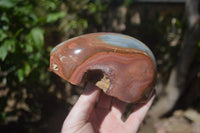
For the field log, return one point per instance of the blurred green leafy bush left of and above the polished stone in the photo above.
(25, 29)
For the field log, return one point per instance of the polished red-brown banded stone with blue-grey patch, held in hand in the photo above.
(120, 65)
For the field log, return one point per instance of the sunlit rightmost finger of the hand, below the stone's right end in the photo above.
(135, 119)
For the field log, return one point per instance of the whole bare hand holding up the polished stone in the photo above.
(104, 116)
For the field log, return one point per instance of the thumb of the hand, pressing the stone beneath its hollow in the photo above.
(81, 111)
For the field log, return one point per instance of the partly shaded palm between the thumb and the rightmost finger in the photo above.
(106, 117)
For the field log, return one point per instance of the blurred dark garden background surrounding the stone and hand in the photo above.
(33, 99)
